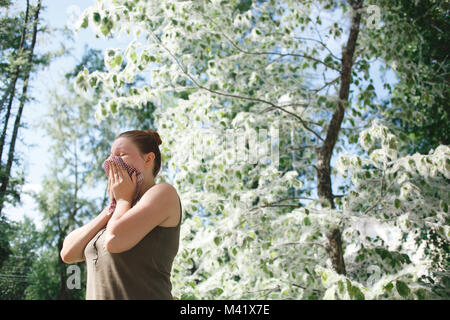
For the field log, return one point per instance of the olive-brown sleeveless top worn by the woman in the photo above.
(143, 272)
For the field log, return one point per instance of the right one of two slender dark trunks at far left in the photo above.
(7, 171)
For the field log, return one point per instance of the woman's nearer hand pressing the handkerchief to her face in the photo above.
(122, 186)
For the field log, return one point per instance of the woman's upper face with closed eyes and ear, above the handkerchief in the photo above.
(129, 153)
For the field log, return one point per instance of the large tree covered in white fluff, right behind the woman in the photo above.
(224, 74)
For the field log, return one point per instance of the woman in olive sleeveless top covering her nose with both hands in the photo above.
(129, 253)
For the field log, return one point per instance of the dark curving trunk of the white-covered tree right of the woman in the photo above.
(324, 153)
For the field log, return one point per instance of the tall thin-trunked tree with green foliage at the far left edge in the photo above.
(19, 62)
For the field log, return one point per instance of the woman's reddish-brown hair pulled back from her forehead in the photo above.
(146, 141)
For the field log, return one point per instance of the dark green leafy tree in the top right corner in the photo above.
(428, 20)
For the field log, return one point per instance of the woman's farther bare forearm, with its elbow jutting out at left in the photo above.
(76, 241)
